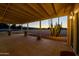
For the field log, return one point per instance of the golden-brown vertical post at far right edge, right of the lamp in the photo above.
(76, 33)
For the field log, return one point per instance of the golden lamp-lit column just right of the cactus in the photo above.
(69, 30)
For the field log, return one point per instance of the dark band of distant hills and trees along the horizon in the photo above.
(13, 26)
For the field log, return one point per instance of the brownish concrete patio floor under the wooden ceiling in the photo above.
(18, 45)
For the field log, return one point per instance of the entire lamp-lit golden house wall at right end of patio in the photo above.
(73, 32)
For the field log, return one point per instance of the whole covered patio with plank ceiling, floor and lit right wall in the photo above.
(26, 43)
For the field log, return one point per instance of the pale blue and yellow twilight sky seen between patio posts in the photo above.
(46, 23)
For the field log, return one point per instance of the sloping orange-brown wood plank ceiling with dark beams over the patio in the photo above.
(29, 12)
